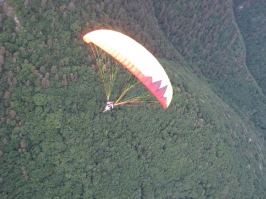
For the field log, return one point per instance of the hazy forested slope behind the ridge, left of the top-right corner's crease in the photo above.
(215, 48)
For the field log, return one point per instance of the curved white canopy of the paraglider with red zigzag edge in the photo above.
(137, 60)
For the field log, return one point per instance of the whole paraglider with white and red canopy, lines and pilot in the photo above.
(112, 51)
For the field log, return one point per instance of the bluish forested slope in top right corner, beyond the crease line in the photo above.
(251, 19)
